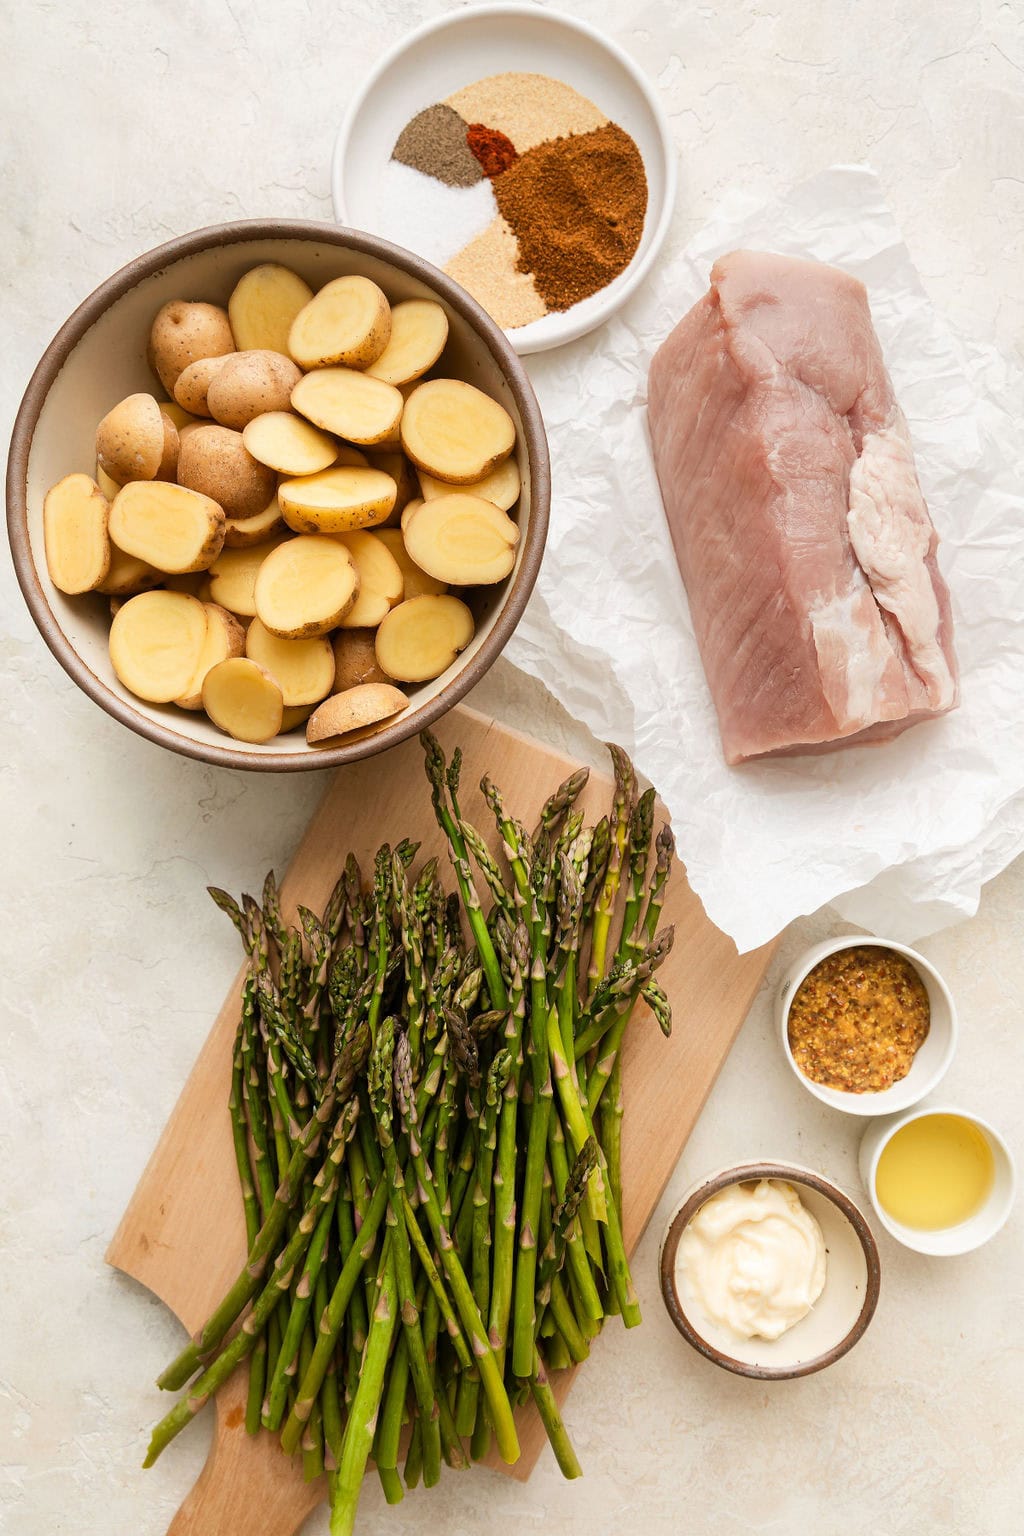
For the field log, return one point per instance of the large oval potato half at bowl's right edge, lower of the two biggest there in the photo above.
(463, 540)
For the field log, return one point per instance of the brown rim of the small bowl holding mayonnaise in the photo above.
(794, 1174)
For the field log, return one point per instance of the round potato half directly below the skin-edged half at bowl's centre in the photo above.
(306, 588)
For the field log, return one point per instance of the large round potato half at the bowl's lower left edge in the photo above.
(156, 644)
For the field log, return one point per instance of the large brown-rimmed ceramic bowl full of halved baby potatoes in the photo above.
(279, 495)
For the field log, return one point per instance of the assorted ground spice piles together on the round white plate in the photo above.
(561, 193)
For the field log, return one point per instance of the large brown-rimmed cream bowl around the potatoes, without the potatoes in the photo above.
(99, 357)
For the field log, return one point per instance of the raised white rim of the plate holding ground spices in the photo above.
(515, 10)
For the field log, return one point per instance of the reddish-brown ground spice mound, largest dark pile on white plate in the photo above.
(576, 208)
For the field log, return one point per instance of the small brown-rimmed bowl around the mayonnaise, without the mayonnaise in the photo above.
(842, 1313)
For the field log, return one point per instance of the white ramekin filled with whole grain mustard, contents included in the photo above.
(867, 1024)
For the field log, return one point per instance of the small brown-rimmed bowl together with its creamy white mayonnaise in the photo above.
(770, 1271)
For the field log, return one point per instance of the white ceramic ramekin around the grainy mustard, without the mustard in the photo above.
(931, 1062)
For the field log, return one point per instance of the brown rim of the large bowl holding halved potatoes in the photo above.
(51, 363)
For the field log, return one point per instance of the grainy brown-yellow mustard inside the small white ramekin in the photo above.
(859, 1019)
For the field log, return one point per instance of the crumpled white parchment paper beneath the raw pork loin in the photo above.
(900, 838)
